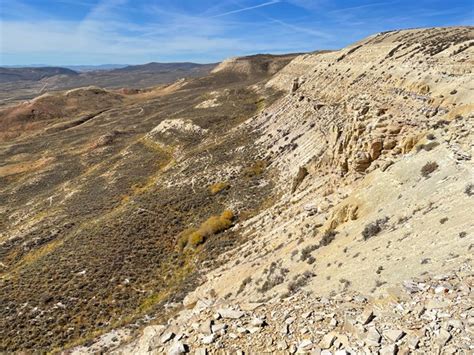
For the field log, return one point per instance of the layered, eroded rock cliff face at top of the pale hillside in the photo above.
(372, 100)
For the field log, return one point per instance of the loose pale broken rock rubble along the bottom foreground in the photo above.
(426, 315)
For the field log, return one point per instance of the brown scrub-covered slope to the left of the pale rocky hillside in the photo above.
(95, 197)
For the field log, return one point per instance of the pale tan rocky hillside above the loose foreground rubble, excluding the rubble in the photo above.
(354, 142)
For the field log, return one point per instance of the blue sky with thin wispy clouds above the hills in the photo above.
(67, 32)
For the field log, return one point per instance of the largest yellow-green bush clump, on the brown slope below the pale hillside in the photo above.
(213, 225)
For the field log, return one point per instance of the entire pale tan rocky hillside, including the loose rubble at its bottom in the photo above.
(371, 150)
